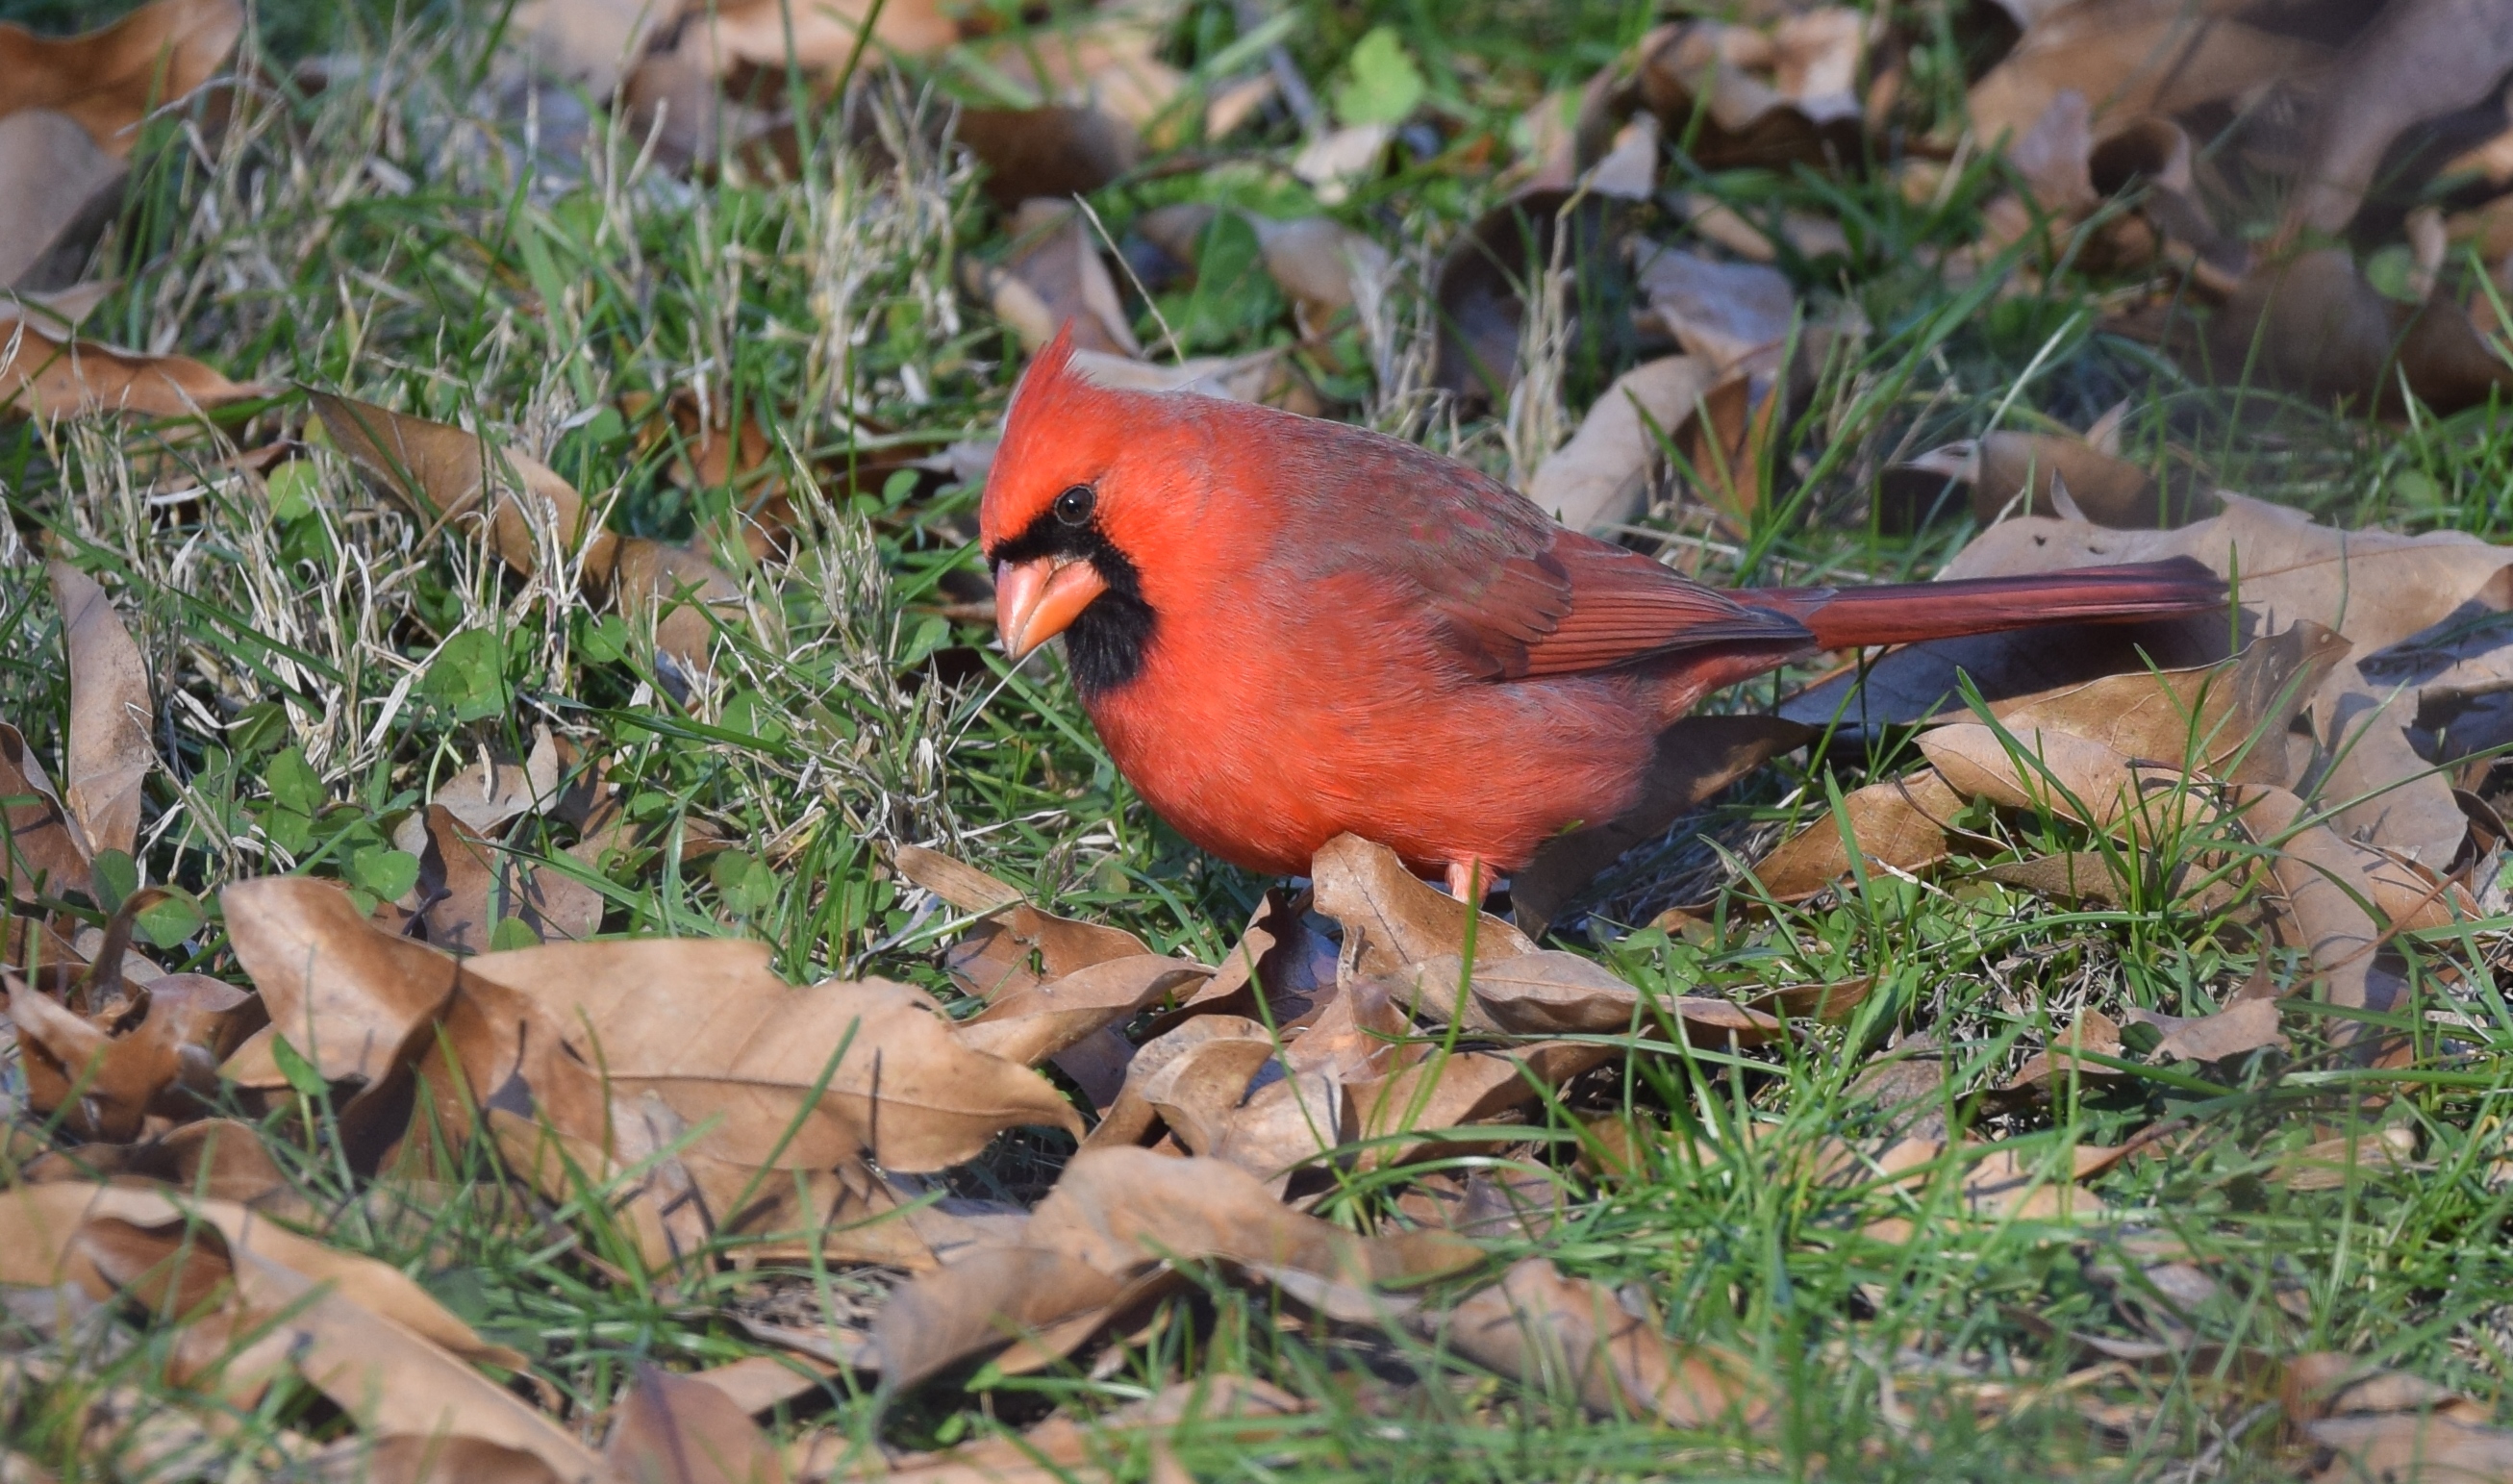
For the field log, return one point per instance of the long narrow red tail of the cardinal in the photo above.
(1916, 611)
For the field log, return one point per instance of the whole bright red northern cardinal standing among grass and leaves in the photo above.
(1290, 629)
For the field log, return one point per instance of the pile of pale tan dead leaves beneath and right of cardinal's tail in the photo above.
(2328, 785)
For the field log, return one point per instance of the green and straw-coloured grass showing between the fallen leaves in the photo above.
(396, 240)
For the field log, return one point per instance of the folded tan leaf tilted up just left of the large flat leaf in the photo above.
(353, 1001)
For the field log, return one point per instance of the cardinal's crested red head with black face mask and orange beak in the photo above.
(1072, 493)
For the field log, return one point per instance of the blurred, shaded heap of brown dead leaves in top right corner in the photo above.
(2110, 104)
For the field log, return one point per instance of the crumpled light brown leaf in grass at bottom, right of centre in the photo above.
(1547, 1330)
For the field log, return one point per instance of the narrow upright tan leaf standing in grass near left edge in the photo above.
(109, 752)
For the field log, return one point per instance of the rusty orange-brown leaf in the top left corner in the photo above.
(112, 79)
